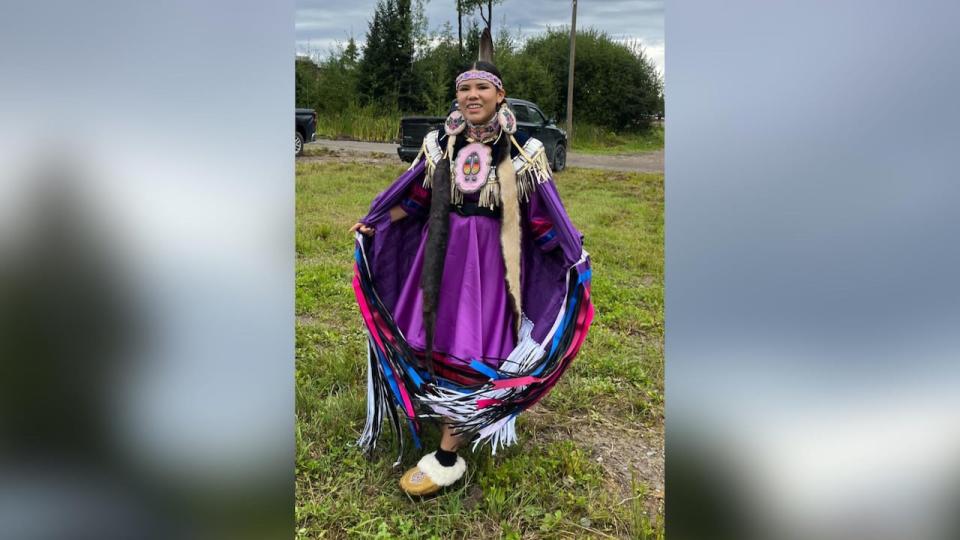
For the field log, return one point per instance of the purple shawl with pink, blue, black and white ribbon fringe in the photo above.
(557, 312)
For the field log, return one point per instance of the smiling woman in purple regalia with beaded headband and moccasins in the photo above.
(472, 282)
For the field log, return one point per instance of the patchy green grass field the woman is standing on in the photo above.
(550, 485)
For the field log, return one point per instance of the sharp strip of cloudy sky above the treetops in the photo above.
(321, 23)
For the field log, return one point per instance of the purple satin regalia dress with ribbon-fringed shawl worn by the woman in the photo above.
(490, 361)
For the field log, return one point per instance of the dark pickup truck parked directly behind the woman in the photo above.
(529, 120)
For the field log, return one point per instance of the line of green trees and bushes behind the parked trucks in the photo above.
(401, 68)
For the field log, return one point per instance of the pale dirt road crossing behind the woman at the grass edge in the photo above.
(387, 152)
